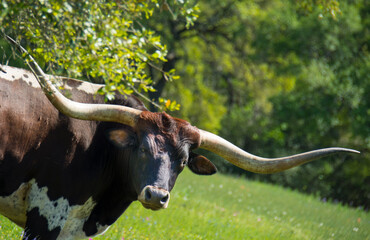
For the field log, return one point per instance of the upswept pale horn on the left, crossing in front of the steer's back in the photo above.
(83, 111)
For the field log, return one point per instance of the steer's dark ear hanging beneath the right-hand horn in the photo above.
(201, 165)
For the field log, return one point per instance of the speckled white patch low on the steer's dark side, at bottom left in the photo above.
(58, 213)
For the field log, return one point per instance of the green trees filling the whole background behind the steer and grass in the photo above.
(274, 77)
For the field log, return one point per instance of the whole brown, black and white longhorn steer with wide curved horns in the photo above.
(66, 178)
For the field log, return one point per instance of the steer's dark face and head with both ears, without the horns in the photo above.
(160, 148)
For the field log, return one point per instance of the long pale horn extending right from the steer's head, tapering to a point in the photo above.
(252, 163)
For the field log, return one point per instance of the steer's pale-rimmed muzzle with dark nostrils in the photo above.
(154, 198)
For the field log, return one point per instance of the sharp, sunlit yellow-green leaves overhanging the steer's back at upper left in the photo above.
(101, 41)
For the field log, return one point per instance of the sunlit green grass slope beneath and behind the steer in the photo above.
(224, 207)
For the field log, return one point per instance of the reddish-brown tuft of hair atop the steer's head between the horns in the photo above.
(177, 131)
